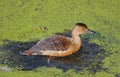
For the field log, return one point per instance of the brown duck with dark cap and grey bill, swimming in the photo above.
(58, 45)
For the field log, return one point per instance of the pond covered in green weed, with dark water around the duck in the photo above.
(24, 22)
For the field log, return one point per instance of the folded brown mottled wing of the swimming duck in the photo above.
(54, 43)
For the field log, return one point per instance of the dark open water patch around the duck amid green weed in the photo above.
(90, 55)
